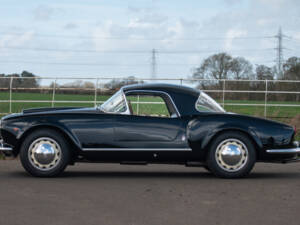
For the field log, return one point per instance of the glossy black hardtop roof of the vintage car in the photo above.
(183, 97)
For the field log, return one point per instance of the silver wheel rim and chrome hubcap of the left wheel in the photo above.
(44, 153)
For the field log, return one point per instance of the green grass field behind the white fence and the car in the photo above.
(283, 114)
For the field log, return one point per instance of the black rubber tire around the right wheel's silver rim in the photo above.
(212, 161)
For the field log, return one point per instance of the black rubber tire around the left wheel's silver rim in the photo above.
(64, 154)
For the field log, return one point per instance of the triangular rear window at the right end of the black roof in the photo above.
(207, 104)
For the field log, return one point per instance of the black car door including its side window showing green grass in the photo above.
(157, 128)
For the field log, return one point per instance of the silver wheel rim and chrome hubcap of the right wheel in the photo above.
(231, 155)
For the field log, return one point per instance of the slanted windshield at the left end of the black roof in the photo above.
(115, 104)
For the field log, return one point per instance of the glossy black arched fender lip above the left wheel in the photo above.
(70, 138)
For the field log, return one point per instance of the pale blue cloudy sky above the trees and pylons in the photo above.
(115, 38)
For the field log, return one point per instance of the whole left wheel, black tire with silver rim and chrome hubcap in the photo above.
(45, 153)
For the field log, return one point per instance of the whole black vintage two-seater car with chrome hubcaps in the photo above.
(188, 128)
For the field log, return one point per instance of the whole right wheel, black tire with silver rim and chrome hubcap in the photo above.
(231, 155)
